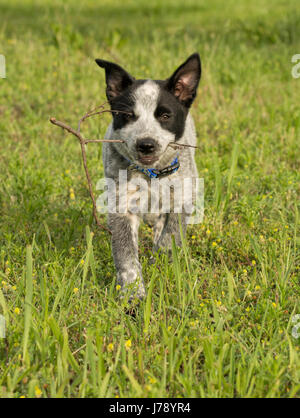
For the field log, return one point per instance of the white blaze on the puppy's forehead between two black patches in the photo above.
(146, 98)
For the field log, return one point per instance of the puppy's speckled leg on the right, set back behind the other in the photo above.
(170, 228)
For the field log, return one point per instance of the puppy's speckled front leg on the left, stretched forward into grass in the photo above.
(124, 228)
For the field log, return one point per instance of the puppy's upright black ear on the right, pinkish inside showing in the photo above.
(184, 81)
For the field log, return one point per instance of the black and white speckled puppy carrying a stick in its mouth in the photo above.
(148, 115)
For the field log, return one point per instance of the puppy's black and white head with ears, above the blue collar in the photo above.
(155, 111)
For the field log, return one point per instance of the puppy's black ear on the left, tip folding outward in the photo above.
(117, 79)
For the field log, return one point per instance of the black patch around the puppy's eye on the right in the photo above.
(170, 113)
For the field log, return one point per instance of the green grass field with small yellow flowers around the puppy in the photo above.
(217, 321)
